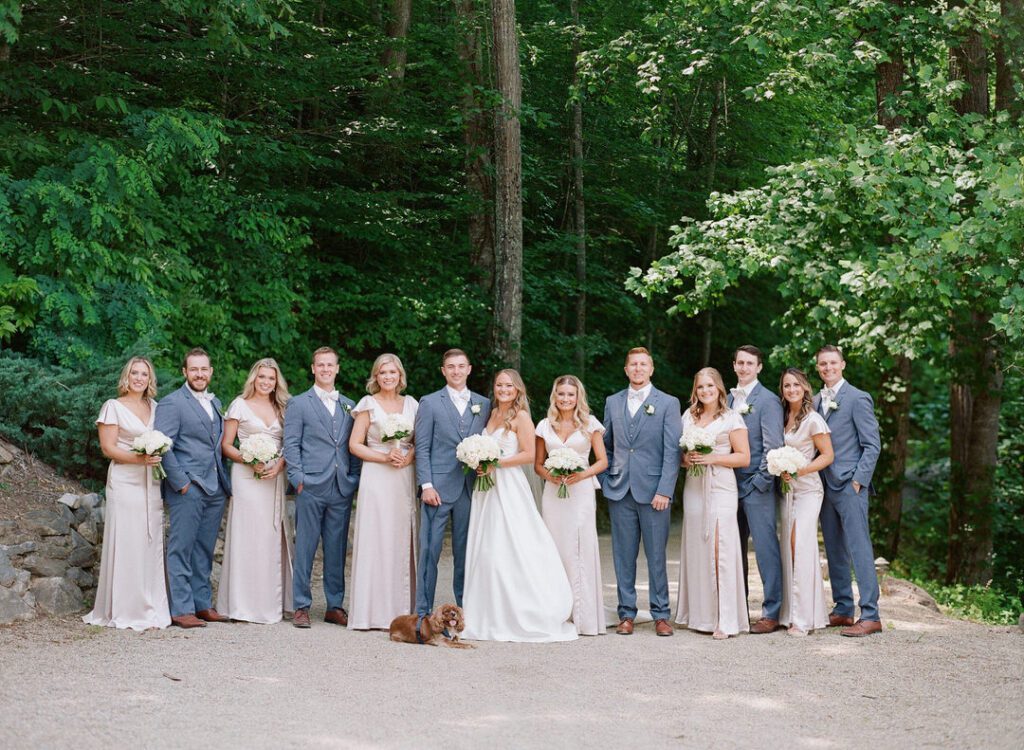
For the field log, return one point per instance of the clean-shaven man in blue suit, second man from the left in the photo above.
(318, 425)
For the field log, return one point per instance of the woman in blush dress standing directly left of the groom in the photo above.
(385, 555)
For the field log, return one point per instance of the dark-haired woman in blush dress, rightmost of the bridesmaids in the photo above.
(803, 589)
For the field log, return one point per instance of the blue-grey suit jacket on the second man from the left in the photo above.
(317, 455)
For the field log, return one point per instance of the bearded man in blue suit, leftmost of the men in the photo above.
(195, 491)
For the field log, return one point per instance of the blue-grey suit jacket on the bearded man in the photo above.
(196, 455)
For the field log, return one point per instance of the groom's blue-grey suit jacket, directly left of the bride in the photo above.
(440, 430)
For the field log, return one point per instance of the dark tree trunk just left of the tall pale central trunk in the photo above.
(477, 144)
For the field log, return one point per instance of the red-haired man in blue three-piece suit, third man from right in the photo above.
(643, 431)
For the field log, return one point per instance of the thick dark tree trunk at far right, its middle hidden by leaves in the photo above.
(976, 388)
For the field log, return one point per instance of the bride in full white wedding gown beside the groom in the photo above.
(517, 589)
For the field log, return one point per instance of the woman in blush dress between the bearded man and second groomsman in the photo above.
(257, 577)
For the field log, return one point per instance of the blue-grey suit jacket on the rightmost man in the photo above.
(856, 439)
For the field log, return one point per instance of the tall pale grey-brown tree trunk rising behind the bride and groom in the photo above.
(508, 192)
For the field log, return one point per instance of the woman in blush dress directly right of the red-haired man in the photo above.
(712, 598)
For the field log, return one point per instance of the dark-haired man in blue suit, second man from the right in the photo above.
(762, 412)
